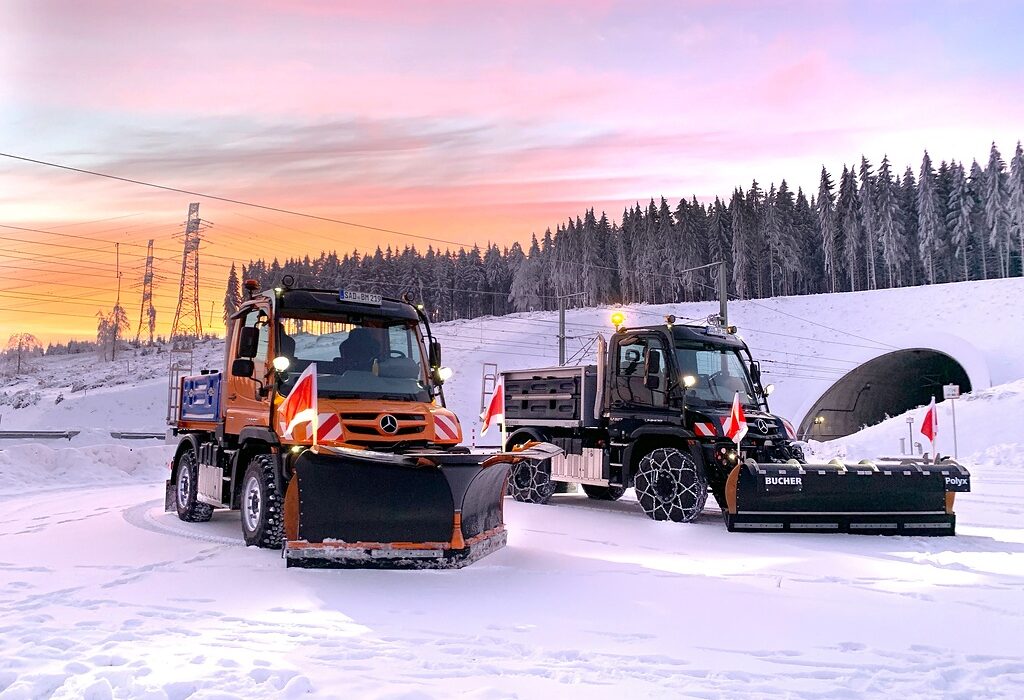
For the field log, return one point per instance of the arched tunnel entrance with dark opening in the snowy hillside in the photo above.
(893, 383)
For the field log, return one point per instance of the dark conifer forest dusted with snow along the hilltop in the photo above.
(870, 227)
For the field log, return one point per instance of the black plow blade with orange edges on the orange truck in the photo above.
(359, 509)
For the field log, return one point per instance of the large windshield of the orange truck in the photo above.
(356, 358)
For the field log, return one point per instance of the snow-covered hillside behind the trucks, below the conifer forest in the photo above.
(806, 344)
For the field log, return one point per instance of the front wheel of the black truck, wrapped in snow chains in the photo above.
(670, 486)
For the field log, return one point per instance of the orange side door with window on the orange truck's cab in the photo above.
(246, 407)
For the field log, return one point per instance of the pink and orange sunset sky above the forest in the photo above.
(471, 122)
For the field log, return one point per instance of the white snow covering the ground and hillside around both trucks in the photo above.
(103, 595)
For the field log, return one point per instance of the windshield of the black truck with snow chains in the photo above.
(719, 373)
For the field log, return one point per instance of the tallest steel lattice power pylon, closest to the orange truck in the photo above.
(188, 327)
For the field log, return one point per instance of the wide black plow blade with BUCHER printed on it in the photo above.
(905, 497)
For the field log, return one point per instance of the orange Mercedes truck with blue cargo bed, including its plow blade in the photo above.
(385, 485)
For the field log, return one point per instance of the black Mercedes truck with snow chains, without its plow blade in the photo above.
(656, 404)
